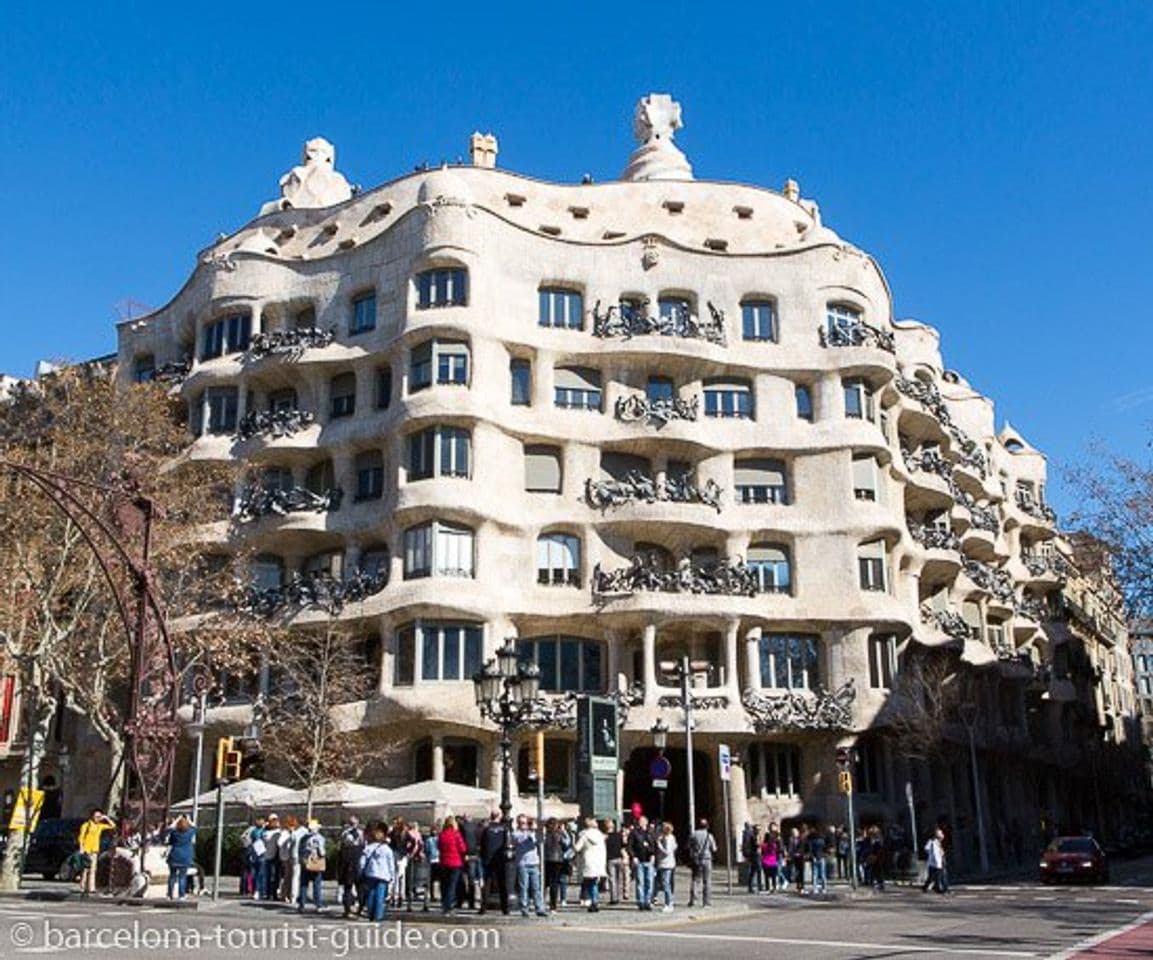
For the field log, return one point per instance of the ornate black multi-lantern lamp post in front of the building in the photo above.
(508, 693)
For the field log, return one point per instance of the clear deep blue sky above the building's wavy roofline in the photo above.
(996, 158)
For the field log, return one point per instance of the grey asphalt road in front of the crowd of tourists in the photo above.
(993, 921)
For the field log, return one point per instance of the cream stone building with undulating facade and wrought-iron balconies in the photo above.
(627, 424)
